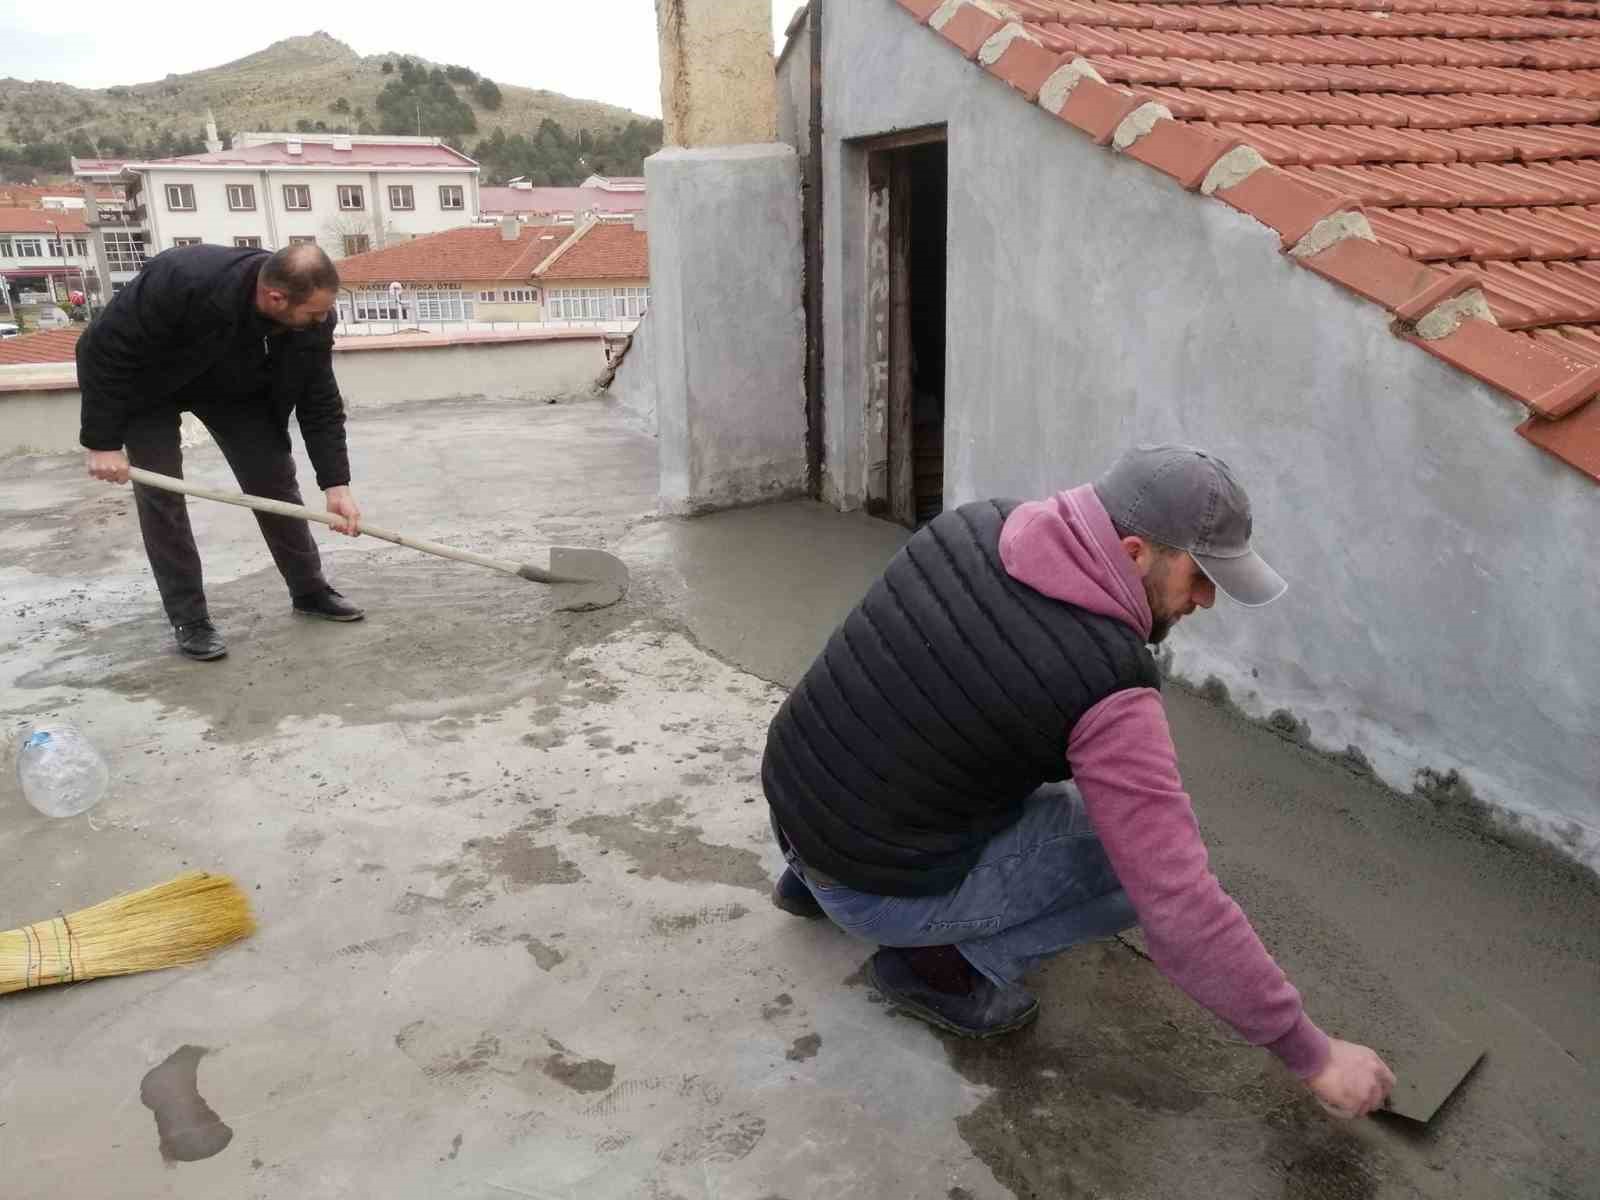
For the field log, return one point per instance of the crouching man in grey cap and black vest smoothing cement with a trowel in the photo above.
(916, 775)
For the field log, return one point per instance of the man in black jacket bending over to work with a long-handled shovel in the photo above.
(241, 338)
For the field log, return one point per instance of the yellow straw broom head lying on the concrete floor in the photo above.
(169, 926)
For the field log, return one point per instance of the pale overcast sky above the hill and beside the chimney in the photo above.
(590, 49)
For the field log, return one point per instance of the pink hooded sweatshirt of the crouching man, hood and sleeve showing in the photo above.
(1126, 766)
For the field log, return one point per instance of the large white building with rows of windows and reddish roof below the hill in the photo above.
(350, 194)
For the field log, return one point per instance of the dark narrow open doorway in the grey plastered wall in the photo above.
(906, 273)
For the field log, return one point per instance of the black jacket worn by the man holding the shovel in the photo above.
(175, 322)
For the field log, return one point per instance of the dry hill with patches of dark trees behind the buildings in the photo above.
(292, 84)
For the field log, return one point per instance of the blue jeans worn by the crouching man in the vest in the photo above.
(1039, 889)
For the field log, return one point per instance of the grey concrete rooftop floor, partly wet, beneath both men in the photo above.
(511, 874)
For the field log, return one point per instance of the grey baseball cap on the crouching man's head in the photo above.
(1186, 498)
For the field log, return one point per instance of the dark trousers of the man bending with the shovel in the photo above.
(258, 450)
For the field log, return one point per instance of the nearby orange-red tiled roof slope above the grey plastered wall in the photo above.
(1439, 158)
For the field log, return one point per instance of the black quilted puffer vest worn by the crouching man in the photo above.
(937, 710)
